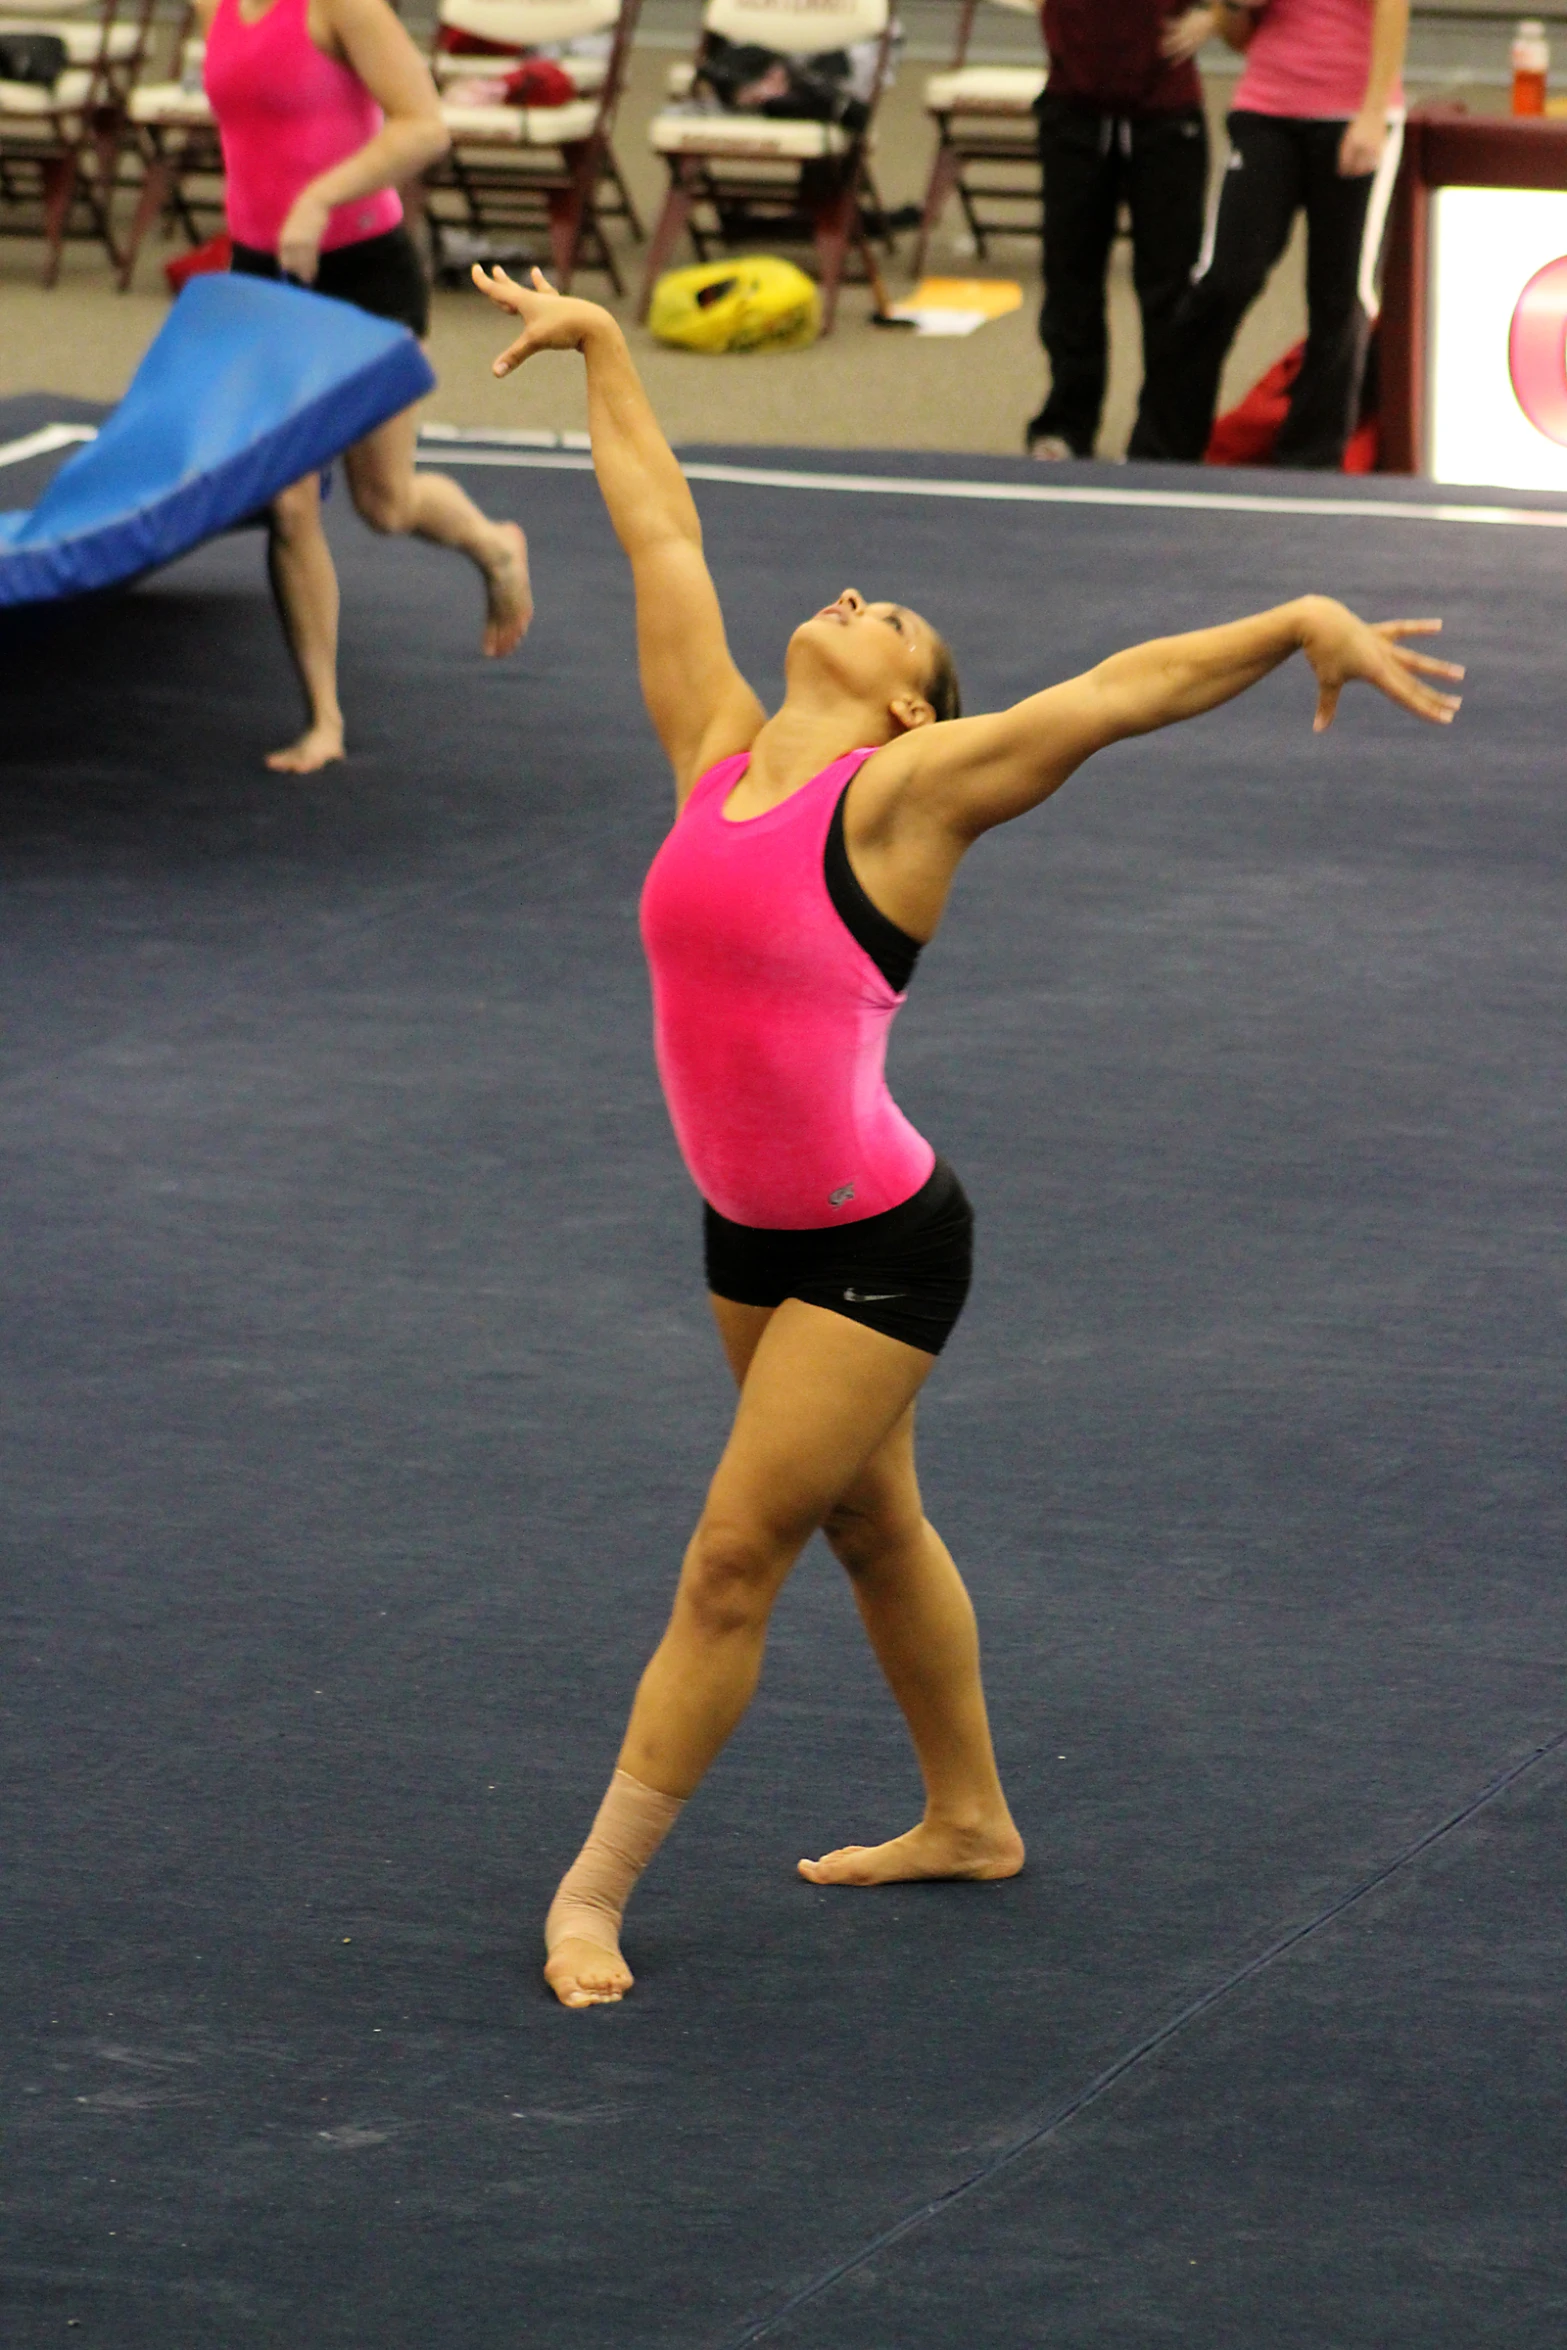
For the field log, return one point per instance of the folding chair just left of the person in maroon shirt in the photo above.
(986, 142)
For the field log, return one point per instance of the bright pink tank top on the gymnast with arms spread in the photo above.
(769, 1019)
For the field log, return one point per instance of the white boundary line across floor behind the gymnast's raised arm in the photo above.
(889, 485)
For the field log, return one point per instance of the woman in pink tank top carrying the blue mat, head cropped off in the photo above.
(325, 107)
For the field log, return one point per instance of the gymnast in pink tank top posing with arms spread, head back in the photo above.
(809, 859)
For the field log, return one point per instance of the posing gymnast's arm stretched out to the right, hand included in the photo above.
(976, 774)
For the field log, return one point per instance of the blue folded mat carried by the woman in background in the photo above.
(250, 387)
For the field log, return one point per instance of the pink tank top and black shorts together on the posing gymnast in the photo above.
(774, 988)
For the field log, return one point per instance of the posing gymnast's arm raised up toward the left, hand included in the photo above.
(697, 697)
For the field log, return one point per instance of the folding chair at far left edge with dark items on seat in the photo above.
(60, 140)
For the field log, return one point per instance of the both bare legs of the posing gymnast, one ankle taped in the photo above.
(821, 1437)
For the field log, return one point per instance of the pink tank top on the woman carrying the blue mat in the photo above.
(285, 116)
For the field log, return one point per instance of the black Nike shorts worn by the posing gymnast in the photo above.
(903, 1273)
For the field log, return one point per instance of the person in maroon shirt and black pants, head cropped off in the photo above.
(1119, 123)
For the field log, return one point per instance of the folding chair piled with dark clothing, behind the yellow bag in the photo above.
(741, 180)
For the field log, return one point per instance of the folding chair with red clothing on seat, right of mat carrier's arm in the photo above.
(523, 168)
